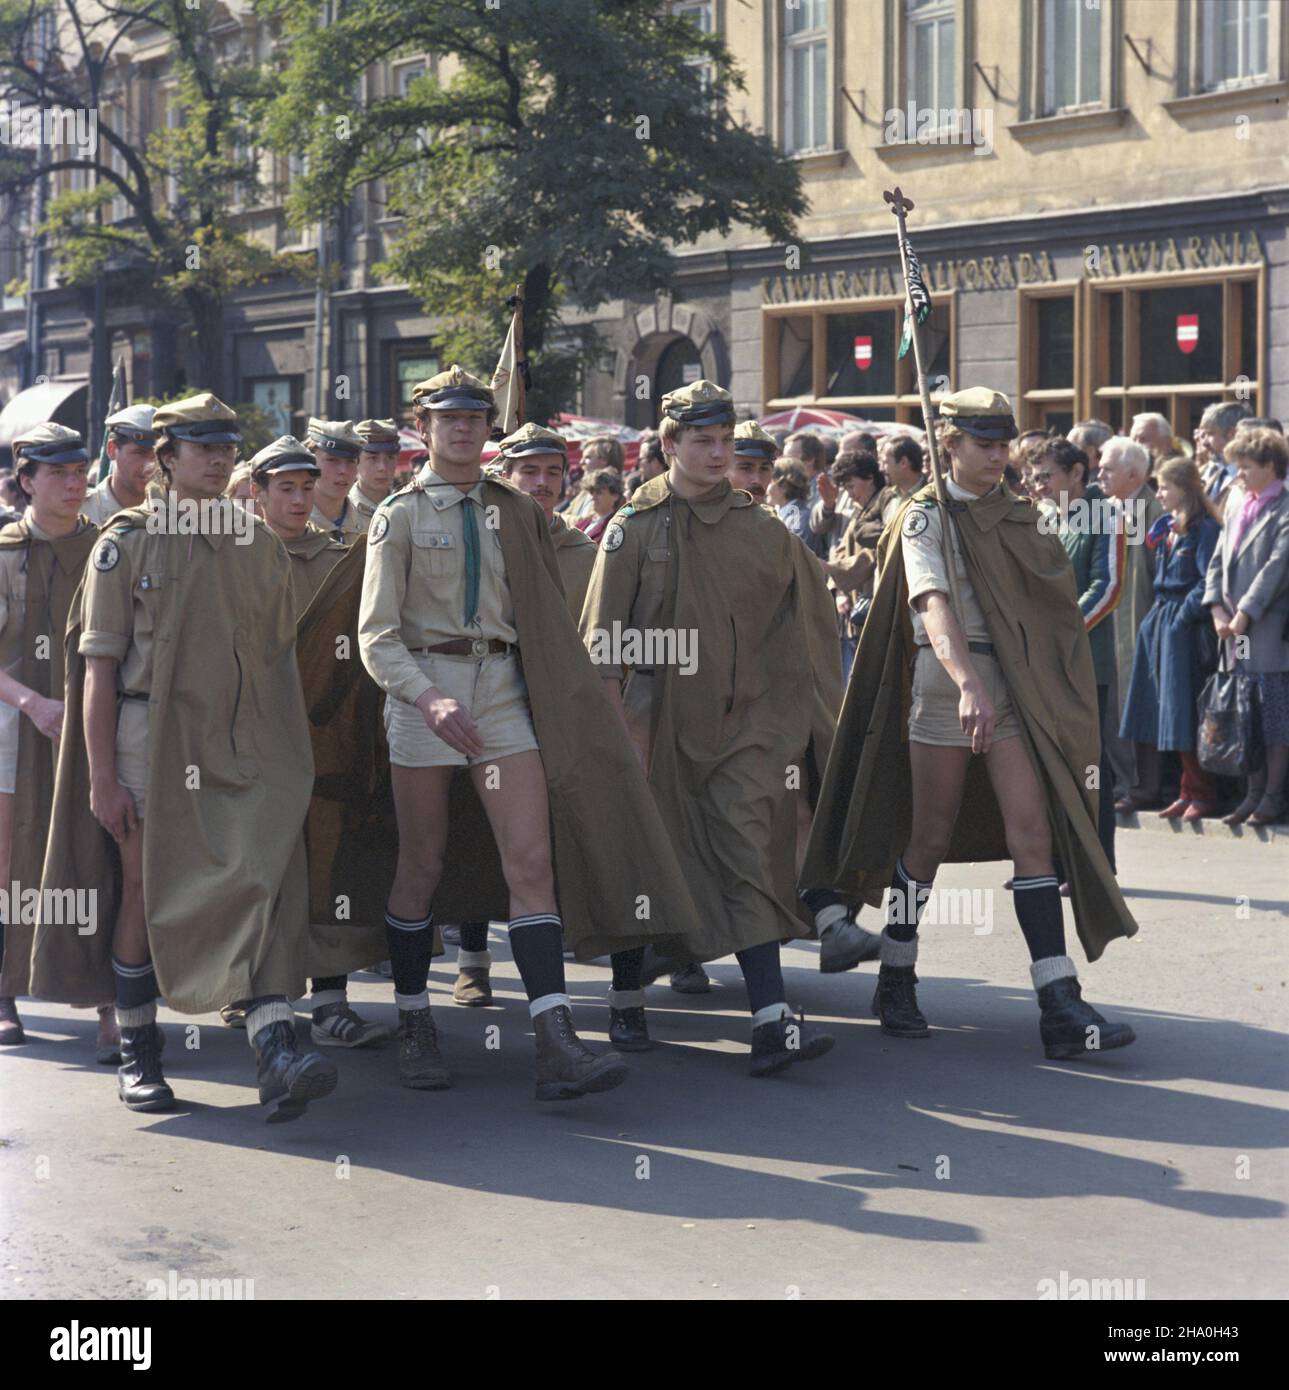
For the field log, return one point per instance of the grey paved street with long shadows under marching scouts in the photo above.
(964, 1167)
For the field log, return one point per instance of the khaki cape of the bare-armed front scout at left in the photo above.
(225, 874)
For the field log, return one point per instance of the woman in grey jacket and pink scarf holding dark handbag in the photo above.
(1248, 594)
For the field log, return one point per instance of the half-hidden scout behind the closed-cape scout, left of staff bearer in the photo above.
(843, 943)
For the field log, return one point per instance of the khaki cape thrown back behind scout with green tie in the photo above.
(600, 804)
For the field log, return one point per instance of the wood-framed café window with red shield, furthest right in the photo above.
(1176, 348)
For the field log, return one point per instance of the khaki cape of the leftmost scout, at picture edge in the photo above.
(54, 572)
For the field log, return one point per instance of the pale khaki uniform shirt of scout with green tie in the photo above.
(415, 583)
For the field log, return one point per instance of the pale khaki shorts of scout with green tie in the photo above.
(496, 693)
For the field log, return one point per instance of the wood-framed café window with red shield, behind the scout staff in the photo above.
(848, 357)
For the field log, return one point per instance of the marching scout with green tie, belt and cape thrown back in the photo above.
(465, 625)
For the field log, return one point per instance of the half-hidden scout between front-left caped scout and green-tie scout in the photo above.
(283, 480)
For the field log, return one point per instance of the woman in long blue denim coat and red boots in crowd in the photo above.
(1169, 664)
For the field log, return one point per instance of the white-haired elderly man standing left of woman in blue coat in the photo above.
(1126, 466)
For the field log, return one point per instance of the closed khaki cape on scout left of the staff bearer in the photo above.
(735, 743)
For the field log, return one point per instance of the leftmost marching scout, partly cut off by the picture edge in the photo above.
(41, 562)
